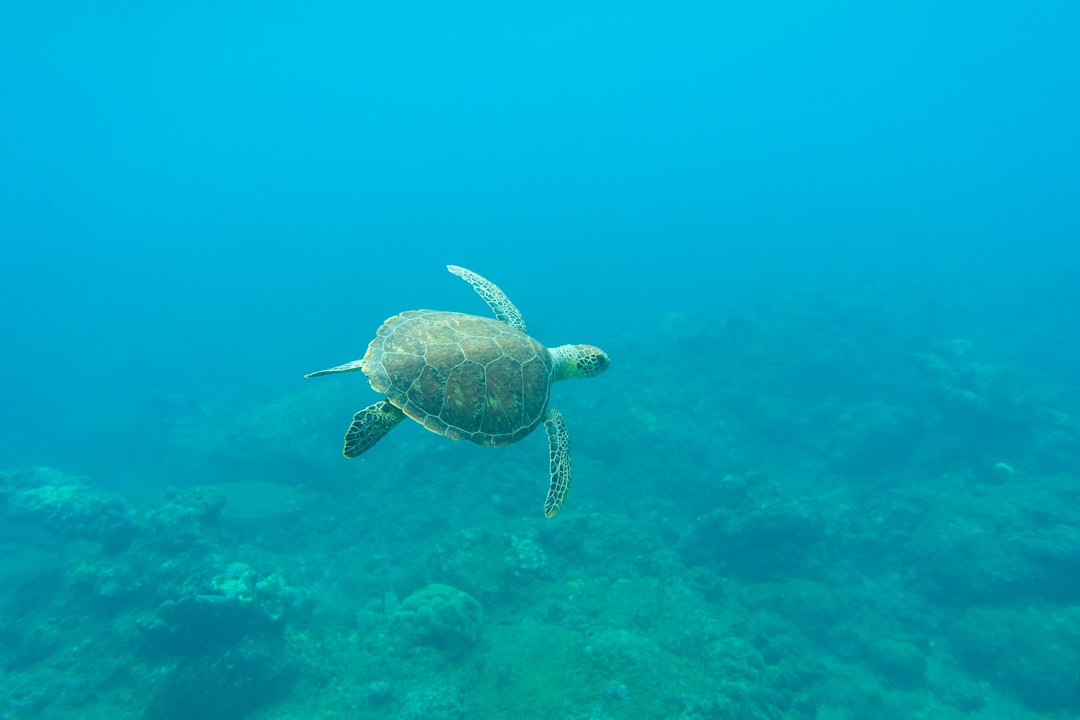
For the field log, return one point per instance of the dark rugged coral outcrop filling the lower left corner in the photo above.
(197, 635)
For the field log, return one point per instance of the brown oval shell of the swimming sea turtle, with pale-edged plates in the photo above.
(462, 376)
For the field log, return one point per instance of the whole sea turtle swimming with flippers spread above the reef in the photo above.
(469, 378)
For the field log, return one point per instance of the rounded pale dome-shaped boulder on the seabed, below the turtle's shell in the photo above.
(440, 617)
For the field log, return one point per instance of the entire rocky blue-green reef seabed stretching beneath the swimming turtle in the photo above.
(813, 521)
